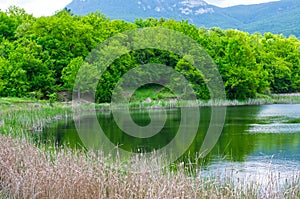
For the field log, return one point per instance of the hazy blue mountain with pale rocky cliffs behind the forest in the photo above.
(276, 17)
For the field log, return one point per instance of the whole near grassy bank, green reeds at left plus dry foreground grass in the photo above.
(31, 171)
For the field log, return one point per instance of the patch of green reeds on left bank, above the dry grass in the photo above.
(19, 116)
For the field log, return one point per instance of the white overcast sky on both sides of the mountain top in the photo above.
(48, 7)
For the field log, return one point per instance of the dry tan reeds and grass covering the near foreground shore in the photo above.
(27, 171)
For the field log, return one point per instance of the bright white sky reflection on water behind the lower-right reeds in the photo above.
(266, 172)
